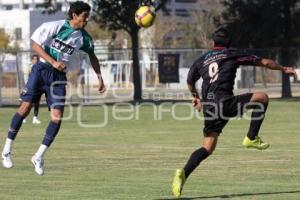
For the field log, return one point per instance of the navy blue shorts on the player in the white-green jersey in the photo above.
(45, 79)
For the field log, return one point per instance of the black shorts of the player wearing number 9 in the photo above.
(217, 113)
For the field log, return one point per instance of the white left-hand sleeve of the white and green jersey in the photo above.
(44, 32)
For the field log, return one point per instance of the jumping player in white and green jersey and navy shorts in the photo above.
(55, 42)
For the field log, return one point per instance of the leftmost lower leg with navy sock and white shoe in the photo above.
(16, 123)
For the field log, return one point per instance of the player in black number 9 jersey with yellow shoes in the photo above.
(218, 70)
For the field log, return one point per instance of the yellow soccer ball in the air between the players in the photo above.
(144, 16)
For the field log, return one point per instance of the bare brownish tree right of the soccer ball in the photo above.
(193, 30)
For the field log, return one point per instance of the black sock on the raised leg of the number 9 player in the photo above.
(257, 118)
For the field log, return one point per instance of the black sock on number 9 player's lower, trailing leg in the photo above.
(194, 160)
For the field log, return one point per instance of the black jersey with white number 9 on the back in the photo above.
(218, 70)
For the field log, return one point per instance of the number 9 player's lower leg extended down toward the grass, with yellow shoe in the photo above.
(209, 144)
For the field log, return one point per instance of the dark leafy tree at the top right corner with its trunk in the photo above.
(265, 24)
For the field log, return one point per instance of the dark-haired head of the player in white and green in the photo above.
(79, 13)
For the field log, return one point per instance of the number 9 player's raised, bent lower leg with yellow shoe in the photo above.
(259, 103)
